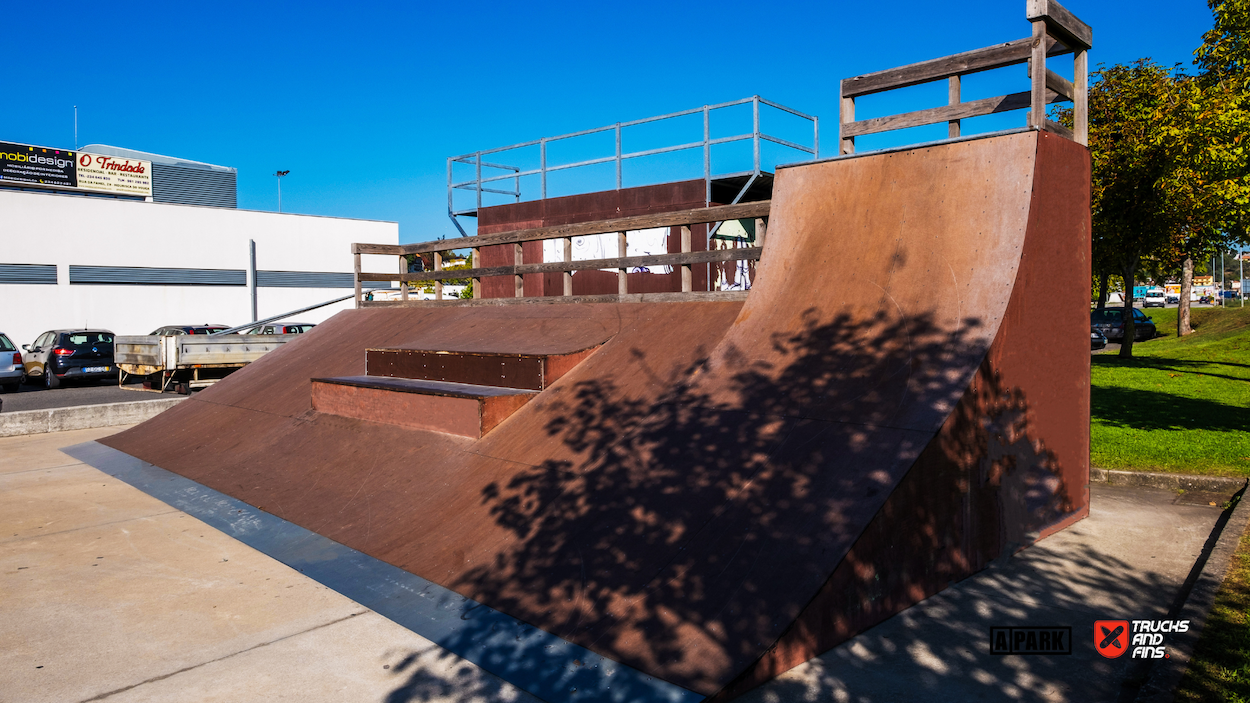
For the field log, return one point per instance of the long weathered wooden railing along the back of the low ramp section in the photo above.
(686, 260)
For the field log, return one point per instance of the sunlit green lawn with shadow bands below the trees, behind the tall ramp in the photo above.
(1181, 405)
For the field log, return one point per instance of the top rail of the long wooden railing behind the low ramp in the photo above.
(696, 217)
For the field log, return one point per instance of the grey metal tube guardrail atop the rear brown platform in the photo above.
(479, 185)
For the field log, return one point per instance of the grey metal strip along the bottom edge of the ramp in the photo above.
(522, 655)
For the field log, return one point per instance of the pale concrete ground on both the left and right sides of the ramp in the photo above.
(111, 595)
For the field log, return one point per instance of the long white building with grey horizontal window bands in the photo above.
(69, 261)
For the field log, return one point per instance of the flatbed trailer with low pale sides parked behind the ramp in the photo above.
(191, 361)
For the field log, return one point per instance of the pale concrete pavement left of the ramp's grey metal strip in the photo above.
(109, 595)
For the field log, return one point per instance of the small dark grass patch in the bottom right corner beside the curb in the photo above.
(1219, 671)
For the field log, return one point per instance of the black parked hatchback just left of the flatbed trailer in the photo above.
(62, 356)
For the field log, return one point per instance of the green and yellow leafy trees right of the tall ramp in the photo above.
(1172, 159)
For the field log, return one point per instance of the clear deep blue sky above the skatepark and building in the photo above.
(364, 104)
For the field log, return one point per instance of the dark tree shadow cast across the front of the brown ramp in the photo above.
(696, 526)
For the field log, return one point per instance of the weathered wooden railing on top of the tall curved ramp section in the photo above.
(1056, 32)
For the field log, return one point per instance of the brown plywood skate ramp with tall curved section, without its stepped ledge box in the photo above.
(691, 498)
